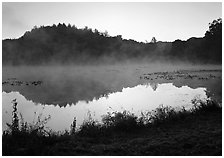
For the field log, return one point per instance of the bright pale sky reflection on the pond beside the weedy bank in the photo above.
(136, 99)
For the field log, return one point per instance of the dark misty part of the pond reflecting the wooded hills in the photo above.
(67, 85)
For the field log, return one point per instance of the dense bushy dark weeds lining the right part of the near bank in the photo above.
(128, 122)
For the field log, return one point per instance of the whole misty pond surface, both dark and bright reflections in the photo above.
(65, 93)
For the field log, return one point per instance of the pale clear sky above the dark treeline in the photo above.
(139, 21)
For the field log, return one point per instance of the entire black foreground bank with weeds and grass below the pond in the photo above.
(163, 131)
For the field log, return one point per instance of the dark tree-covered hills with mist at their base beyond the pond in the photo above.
(66, 44)
